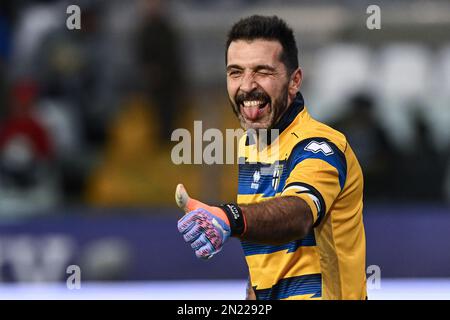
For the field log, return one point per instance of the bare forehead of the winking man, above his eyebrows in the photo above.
(254, 52)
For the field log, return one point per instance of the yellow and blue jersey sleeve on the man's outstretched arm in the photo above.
(317, 174)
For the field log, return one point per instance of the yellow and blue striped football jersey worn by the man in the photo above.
(314, 162)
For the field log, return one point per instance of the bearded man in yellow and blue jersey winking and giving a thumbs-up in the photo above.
(299, 217)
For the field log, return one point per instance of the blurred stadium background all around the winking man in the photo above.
(86, 116)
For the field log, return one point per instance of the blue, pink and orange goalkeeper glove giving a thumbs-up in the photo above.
(206, 228)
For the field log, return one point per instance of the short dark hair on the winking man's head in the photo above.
(267, 28)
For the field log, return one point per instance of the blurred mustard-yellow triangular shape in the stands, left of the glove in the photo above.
(135, 170)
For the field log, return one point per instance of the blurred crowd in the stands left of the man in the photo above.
(86, 115)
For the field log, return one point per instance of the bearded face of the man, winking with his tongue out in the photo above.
(257, 82)
